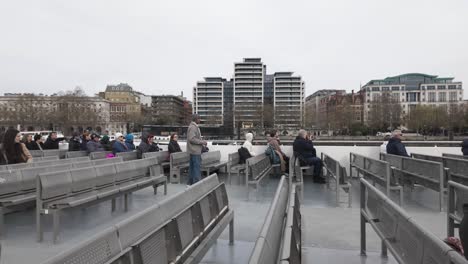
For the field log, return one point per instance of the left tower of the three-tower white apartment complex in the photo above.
(208, 101)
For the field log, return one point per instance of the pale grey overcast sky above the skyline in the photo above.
(164, 47)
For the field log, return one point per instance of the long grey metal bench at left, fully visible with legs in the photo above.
(83, 187)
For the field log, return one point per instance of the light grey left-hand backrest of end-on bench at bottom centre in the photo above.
(267, 246)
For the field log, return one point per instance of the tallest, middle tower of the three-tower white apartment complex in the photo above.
(248, 93)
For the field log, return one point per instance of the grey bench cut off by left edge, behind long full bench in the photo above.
(18, 191)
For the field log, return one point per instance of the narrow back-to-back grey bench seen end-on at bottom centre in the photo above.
(279, 240)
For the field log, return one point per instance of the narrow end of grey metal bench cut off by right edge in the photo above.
(457, 196)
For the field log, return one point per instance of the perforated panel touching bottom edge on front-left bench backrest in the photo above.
(153, 249)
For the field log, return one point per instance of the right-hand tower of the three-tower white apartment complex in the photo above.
(288, 100)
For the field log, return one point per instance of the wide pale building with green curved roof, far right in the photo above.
(413, 89)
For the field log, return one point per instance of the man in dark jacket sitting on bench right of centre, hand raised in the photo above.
(306, 152)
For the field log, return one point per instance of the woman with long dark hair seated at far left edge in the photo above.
(13, 150)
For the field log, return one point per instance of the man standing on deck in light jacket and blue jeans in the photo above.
(194, 148)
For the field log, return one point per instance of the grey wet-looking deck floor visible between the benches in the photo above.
(330, 234)
